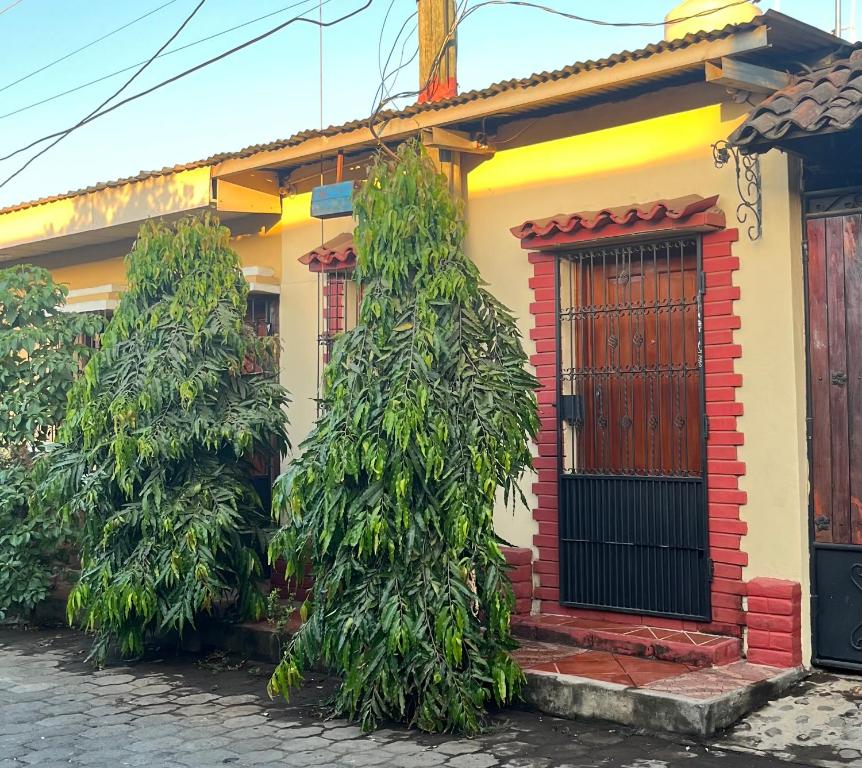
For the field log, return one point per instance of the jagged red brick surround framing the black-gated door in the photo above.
(723, 408)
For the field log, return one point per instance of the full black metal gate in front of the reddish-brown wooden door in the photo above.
(632, 520)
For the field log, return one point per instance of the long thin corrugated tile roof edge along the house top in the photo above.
(462, 98)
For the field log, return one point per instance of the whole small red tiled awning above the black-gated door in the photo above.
(680, 213)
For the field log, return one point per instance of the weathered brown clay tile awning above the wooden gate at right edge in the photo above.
(826, 100)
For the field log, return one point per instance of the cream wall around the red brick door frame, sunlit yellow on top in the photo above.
(658, 156)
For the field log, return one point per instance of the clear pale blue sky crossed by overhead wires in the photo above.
(265, 92)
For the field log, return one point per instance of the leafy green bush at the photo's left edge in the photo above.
(41, 353)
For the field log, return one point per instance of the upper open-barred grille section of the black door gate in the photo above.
(632, 360)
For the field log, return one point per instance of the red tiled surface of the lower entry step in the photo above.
(631, 671)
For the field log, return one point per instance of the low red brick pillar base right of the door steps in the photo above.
(775, 622)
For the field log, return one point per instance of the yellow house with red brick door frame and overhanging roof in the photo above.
(658, 277)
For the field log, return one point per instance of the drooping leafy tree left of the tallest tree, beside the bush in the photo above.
(155, 451)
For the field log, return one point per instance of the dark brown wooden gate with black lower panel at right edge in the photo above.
(834, 283)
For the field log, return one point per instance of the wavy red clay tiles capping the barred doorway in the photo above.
(678, 208)
